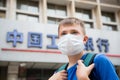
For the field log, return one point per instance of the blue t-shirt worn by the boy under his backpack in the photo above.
(103, 69)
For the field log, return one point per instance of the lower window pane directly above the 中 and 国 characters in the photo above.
(23, 17)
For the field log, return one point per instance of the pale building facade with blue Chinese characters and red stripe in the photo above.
(28, 34)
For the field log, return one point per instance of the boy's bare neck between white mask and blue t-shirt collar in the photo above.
(73, 59)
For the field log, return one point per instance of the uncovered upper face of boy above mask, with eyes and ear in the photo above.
(73, 29)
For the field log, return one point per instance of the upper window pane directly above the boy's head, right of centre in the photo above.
(83, 13)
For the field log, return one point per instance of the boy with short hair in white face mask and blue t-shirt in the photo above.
(72, 38)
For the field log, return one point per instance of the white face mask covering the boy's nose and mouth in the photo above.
(71, 44)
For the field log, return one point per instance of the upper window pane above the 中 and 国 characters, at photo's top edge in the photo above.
(27, 5)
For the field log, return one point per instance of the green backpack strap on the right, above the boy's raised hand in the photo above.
(89, 59)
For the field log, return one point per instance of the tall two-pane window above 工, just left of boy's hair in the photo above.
(56, 13)
